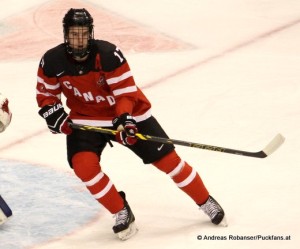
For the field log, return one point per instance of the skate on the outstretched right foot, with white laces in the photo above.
(215, 212)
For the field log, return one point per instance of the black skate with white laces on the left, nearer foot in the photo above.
(125, 227)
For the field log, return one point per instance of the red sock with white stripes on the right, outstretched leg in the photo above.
(185, 177)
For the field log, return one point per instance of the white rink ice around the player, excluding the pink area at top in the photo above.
(235, 84)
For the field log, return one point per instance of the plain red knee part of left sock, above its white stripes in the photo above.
(86, 165)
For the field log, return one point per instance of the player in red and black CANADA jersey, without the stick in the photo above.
(100, 90)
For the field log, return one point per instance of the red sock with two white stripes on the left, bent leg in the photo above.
(86, 166)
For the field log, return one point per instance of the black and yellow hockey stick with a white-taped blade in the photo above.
(268, 150)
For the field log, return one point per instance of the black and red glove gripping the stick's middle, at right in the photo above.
(126, 127)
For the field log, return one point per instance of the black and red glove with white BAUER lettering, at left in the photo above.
(56, 118)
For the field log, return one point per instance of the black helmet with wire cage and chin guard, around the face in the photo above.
(78, 17)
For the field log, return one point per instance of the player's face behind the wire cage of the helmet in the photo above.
(78, 37)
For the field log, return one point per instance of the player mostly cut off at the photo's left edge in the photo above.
(5, 118)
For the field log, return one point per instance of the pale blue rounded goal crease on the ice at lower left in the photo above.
(46, 204)
